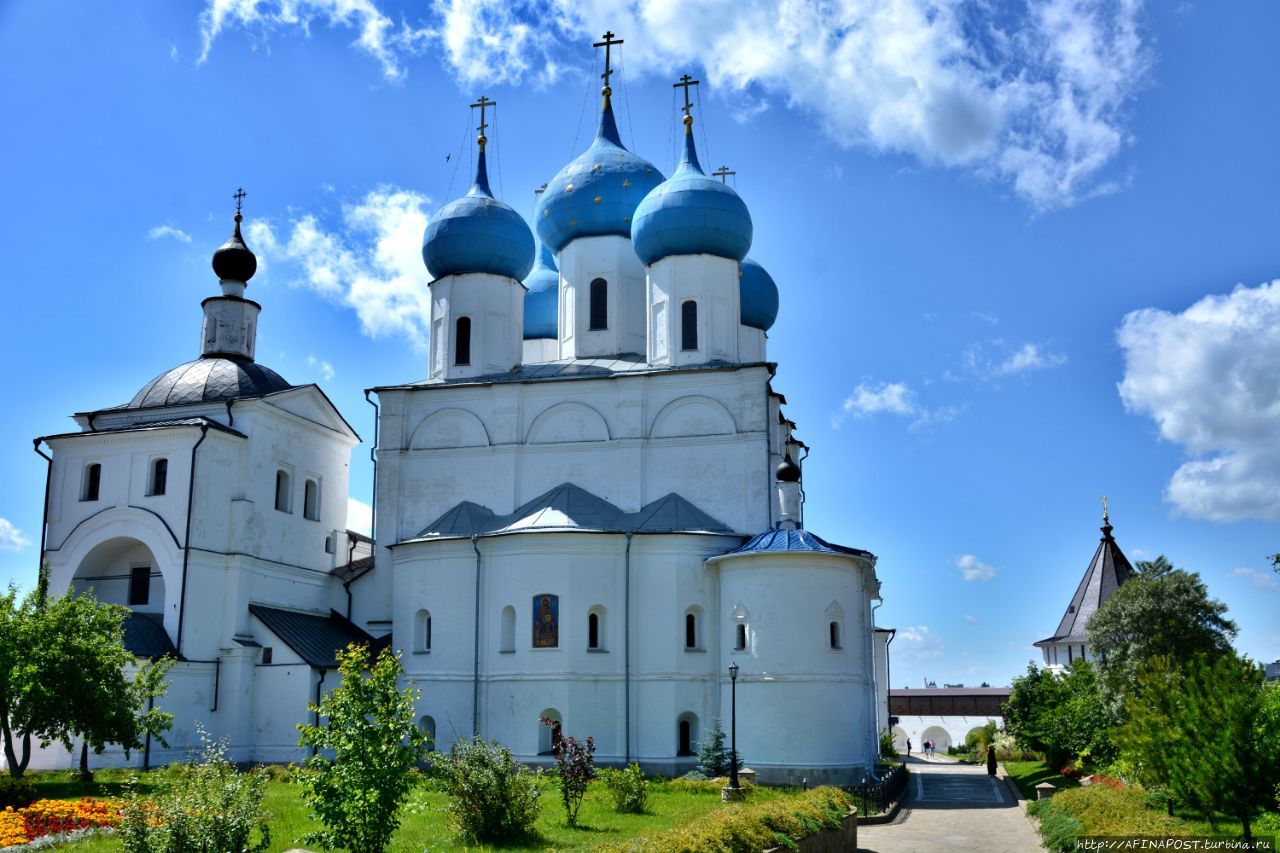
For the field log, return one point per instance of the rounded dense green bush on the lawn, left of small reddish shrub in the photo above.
(493, 799)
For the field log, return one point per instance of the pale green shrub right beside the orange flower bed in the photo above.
(208, 808)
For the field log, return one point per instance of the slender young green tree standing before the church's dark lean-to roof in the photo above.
(368, 728)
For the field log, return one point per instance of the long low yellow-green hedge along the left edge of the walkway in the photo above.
(747, 829)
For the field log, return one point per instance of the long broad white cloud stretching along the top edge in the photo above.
(1035, 98)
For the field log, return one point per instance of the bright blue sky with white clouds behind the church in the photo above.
(1026, 258)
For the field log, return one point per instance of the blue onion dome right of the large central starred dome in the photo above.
(692, 215)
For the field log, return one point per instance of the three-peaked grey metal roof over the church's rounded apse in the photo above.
(570, 507)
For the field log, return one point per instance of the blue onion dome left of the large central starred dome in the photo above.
(478, 234)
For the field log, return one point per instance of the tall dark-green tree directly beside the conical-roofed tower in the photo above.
(1162, 613)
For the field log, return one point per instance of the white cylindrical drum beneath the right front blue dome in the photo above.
(712, 284)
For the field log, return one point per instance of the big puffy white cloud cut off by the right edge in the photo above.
(1209, 378)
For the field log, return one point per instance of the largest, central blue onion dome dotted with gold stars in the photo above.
(598, 193)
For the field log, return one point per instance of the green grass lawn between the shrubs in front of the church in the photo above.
(424, 823)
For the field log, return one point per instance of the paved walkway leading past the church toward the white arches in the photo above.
(954, 808)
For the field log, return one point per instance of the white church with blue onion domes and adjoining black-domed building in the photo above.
(588, 510)
